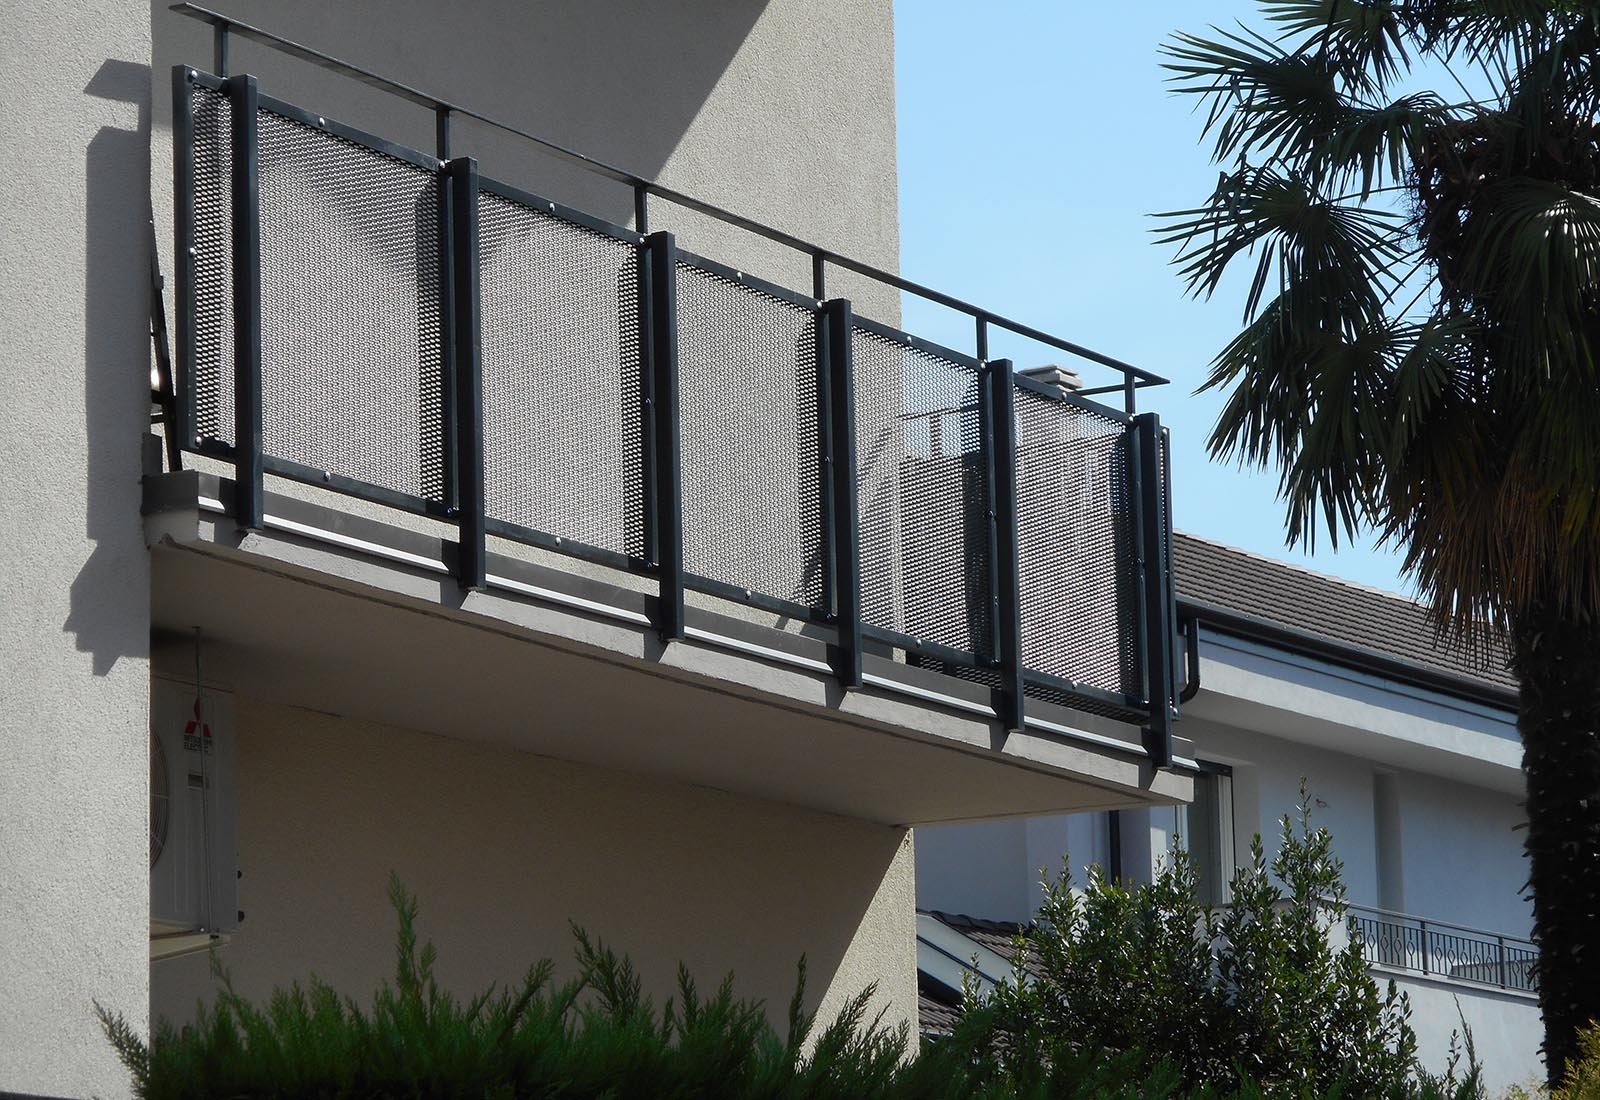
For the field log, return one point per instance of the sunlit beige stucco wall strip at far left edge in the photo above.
(74, 578)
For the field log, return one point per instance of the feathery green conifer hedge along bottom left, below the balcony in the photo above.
(594, 1037)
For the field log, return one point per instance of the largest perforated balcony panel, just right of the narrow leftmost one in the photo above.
(351, 353)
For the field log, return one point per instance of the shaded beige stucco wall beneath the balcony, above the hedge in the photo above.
(505, 848)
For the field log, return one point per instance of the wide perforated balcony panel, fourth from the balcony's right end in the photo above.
(561, 353)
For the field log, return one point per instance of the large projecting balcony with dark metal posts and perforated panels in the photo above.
(534, 409)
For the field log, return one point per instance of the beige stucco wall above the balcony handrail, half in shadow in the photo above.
(782, 111)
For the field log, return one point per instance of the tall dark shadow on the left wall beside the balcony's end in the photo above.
(116, 375)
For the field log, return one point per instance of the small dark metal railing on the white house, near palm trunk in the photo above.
(1439, 949)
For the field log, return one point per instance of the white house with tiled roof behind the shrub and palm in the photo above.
(1412, 759)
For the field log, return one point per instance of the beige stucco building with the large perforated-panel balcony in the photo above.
(497, 543)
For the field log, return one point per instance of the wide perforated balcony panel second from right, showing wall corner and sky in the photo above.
(922, 498)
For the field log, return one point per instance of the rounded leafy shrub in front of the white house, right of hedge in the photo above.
(1254, 994)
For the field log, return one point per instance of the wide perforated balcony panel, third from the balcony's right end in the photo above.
(751, 439)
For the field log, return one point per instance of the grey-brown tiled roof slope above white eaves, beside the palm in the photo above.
(1334, 610)
